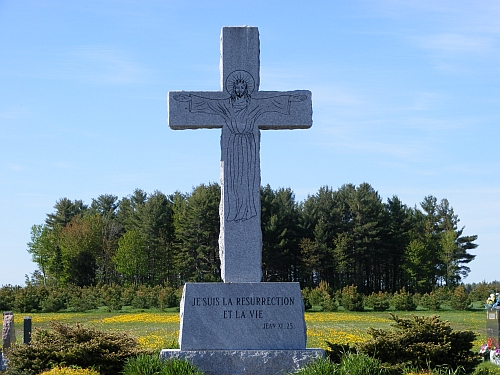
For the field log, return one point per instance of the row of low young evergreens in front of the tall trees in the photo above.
(32, 298)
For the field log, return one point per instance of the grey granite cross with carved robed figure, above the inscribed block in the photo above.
(240, 109)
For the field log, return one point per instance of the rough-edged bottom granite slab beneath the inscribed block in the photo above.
(246, 362)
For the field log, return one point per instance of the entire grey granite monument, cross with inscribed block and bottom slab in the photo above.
(241, 326)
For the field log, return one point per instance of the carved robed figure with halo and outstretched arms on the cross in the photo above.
(239, 112)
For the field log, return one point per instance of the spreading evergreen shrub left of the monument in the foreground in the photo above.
(72, 345)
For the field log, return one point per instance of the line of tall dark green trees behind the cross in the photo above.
(347, 236)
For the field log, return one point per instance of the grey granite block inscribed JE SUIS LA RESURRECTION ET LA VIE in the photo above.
(247, 316)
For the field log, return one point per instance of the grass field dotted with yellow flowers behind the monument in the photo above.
(159, 330)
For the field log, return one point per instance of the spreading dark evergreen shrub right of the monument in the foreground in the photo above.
(422, 342)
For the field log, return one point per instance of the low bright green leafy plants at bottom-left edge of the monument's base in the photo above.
(145, 364)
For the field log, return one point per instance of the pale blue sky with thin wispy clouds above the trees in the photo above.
(406, 97)
